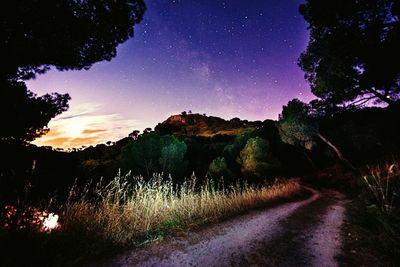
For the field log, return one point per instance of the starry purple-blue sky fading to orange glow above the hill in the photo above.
(223, 58)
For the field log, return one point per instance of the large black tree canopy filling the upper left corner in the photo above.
(70, 35)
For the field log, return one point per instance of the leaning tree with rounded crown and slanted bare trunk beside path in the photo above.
(298, 126)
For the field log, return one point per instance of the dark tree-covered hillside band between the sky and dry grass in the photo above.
(256, 154)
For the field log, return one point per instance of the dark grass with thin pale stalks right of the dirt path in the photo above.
(372, 232)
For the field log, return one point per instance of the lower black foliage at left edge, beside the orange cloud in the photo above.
(23, 115)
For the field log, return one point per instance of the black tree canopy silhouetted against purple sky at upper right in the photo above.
(352, 55)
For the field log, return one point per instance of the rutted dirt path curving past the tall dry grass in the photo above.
(302, 233)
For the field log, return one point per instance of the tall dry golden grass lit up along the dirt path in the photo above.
(129, 209)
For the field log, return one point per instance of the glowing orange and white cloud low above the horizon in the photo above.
(84, 125)
